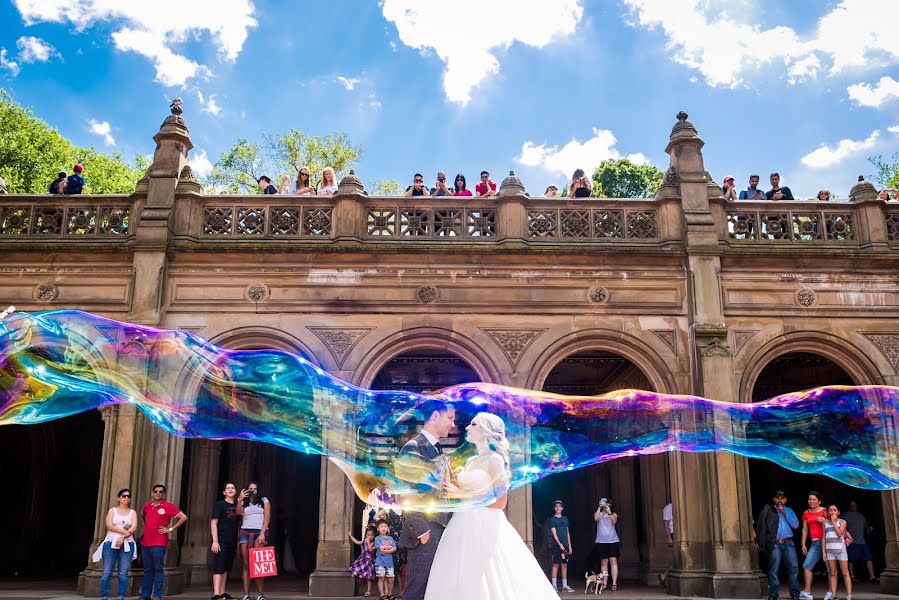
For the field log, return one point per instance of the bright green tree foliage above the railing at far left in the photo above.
(32, 153)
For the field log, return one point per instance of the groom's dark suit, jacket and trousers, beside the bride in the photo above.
(421, 556)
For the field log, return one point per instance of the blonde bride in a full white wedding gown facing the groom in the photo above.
(481, 556)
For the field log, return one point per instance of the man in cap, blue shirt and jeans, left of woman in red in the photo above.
(774, 536)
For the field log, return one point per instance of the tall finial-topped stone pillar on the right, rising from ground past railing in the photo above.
(714, 554)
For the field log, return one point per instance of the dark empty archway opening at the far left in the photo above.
(46, 469)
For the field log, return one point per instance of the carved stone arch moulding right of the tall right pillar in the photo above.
(841, 351)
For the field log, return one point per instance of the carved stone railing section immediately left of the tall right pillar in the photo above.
(605, 219)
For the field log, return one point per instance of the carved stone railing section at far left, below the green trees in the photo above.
(47, 217)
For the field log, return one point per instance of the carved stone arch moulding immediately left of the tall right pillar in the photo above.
(638, 352)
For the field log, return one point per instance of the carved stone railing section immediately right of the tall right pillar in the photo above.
(764, 222)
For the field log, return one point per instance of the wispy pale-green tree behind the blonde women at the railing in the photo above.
(295, 149)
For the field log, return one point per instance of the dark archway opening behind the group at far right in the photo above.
(791, 372)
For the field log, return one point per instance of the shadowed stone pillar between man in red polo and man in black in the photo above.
(202, 494)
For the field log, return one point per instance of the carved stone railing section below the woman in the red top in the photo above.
(442, 218)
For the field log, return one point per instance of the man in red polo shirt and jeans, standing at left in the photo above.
(157, 515)
